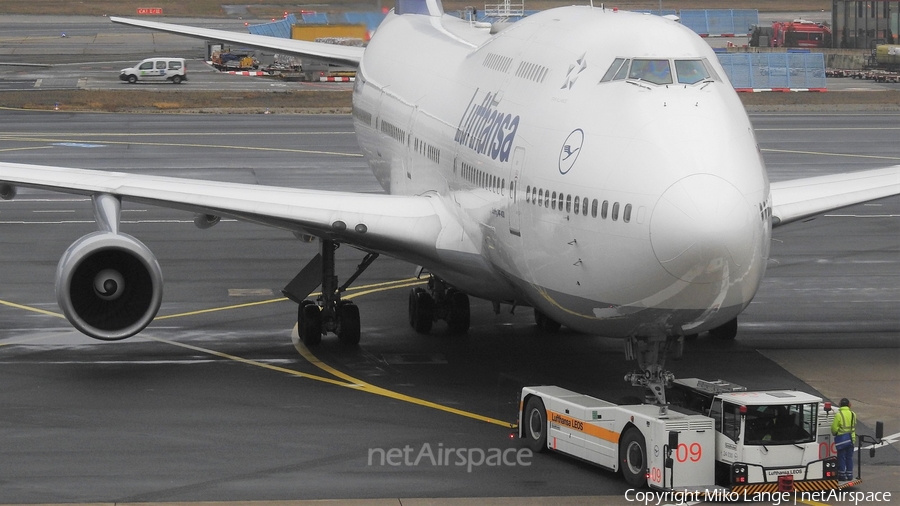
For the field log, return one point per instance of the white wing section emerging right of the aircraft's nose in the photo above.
(801, 198)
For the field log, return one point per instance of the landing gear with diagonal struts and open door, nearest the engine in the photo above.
(329, 313)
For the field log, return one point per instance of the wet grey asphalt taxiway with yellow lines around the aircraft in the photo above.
(213, 402)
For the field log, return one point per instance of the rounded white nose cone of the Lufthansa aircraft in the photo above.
(702, 230)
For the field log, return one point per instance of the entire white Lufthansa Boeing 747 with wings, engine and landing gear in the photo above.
(611, 182)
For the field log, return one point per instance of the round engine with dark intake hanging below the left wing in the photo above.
(109, 285)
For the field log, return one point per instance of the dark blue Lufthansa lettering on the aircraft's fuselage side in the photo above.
(486, 130)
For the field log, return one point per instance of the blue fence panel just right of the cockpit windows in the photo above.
(775, 71)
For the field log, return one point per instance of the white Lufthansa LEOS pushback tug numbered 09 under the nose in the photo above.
(715, 434)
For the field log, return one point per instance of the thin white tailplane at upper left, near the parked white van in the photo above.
(331, 53)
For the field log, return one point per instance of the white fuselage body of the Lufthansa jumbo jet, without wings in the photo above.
(622, 208)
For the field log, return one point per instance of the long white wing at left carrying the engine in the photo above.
(405, 227)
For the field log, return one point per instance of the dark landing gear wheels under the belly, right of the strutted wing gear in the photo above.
(439, 301)
